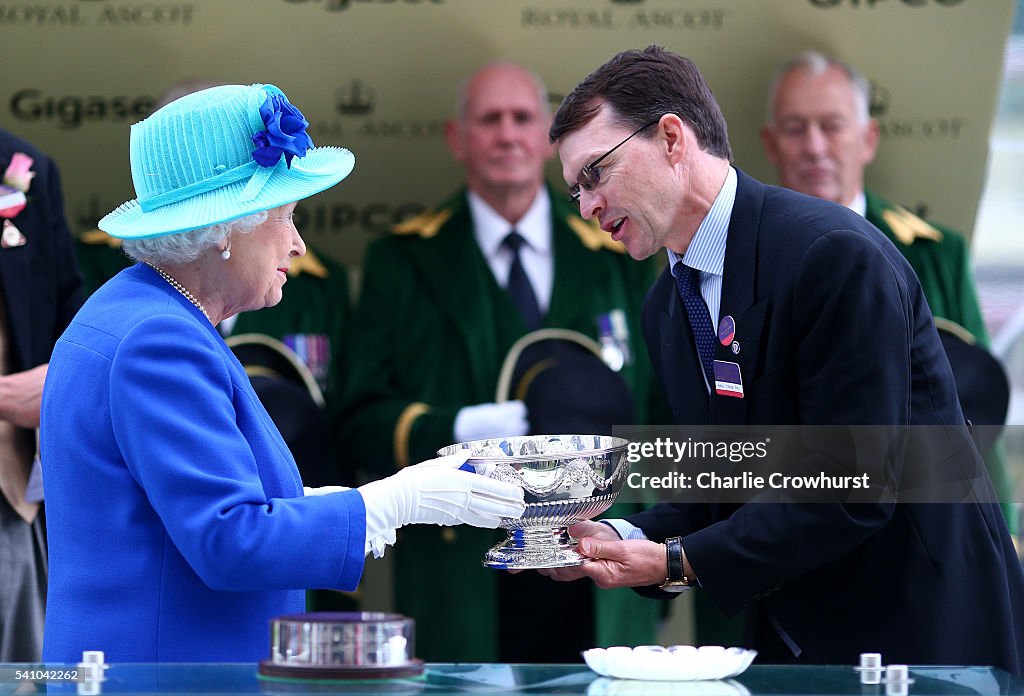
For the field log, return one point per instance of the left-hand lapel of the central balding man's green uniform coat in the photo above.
(457, 276)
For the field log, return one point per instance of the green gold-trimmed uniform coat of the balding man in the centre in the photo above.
(432, 330)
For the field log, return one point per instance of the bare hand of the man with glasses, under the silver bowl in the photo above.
(633, 563)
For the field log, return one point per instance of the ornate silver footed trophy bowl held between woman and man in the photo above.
(566, 480)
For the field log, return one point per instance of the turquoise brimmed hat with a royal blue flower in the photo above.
(219, 155)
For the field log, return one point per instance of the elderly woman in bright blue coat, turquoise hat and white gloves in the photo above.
(178, 523)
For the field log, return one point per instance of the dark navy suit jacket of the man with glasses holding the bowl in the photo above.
(835, 331)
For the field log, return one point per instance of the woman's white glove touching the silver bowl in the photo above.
(436, 492)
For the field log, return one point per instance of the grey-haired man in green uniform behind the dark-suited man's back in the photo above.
(821, 138)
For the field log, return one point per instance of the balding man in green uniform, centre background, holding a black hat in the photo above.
(444, 299)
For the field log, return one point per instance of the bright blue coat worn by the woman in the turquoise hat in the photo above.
(176, 513)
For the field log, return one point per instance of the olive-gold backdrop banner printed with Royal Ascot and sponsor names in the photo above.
(380, 77)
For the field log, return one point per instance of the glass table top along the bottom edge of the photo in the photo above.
(500, 679)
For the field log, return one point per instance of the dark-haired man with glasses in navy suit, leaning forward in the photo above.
(784, 310)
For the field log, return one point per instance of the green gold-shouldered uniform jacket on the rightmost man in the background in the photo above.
(941, 258)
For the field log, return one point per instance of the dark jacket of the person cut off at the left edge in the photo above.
(42, 289)
